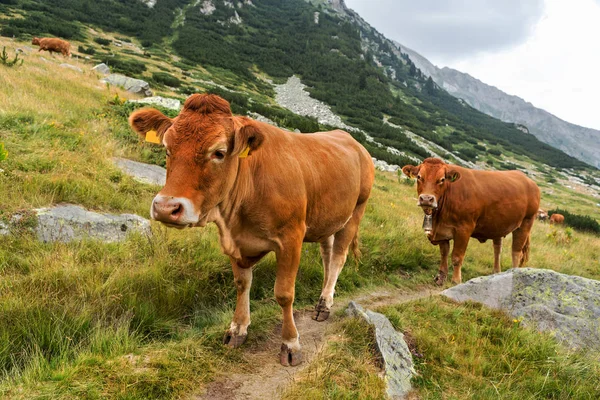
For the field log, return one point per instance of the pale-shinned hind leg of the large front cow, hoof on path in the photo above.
(341, 243)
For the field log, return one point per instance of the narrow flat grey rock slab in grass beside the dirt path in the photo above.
(398, 363)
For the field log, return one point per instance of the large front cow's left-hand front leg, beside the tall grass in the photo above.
(238, 331)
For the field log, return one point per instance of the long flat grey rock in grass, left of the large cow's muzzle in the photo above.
(67, 222)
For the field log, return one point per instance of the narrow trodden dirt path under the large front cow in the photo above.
(269, 379)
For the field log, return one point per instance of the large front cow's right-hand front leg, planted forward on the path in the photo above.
(288, 260)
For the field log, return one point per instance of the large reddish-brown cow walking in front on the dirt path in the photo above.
(267, 190)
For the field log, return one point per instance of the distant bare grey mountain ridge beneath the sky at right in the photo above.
(577, 141)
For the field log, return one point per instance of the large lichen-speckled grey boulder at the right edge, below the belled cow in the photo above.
(567, 306)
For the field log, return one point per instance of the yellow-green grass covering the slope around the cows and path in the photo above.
(144, 318)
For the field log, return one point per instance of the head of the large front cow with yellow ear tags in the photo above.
(205, 145)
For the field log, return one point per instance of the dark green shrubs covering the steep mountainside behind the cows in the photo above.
(281, 39)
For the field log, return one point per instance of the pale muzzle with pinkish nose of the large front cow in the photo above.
(173, 211)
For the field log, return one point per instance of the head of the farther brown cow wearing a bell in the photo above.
(433, 178)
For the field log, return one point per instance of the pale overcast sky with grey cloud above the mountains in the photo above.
(545, 51)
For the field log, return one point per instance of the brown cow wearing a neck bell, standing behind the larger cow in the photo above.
(468, 203)
